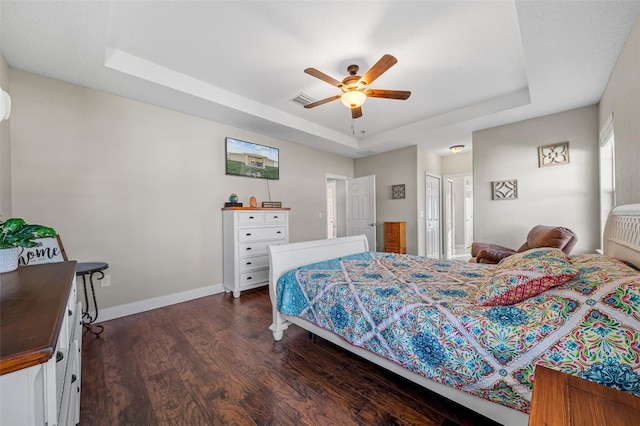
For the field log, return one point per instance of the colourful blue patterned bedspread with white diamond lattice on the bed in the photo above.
(421, 313)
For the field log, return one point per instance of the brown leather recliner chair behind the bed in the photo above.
(539, 236)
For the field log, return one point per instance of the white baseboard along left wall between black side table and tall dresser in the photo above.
(119, 311)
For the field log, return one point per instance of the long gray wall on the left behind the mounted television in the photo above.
(141, 187)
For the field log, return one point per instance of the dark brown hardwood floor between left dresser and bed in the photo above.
(213, 361)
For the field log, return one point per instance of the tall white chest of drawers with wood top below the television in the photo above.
(247, 232)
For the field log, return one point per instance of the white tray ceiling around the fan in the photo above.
(469, 64)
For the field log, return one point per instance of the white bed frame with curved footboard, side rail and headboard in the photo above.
(622, 241)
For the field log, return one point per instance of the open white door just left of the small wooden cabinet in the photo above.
(361, 209)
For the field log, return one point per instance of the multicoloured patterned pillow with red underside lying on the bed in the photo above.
(524, 275)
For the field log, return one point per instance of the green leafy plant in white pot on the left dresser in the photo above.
(15, 234)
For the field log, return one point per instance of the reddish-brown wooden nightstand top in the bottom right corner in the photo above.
(562, 399)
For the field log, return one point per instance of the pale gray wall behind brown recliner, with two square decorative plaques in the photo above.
(563, 195)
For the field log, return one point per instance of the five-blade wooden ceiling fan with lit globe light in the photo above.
(354, 88)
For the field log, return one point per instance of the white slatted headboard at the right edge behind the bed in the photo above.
(621, 238)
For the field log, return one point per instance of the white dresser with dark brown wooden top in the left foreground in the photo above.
(41, 346)
